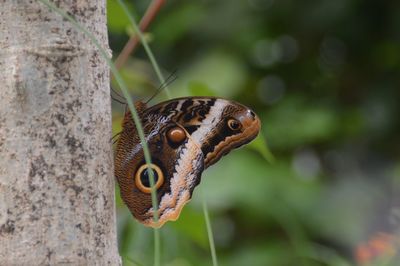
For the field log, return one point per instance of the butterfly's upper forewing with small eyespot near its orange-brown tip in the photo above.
(211, 124)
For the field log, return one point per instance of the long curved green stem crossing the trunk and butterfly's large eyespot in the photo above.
(131, 106)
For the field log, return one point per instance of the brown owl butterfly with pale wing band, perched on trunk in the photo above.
(185, 136)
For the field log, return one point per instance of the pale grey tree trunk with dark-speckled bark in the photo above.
(56, 170)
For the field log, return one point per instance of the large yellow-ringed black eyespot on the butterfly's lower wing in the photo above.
(142, 177)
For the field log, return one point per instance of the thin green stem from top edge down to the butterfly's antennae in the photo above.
(146, 46)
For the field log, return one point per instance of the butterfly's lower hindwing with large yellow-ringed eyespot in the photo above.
(178, 164)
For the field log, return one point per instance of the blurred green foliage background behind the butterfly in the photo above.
(324, 77)
